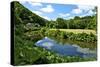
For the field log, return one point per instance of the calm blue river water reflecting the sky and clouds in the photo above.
(66, 49)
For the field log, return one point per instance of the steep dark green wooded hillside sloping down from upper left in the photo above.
(26, 16)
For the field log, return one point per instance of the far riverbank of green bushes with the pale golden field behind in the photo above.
(86, 36)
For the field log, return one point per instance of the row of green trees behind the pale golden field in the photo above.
(87, 22)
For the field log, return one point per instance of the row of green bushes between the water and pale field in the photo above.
(84, 37)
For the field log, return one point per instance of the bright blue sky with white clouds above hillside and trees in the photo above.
(51, 11)
